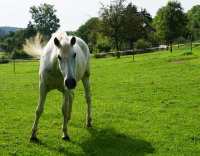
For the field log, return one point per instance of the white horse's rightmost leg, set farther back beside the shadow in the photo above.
(86, 84)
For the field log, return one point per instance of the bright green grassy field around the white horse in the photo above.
(147, 107)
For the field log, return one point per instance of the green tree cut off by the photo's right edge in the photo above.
(194, 21)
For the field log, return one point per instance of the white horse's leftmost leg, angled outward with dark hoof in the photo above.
(39, 110)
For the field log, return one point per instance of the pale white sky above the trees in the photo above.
(72, 13)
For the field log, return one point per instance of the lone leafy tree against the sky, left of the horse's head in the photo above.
(44, 19)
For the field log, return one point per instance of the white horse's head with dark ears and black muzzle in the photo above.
(66, 59)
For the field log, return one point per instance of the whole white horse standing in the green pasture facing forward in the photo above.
(63, 62)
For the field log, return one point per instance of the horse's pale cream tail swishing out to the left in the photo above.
(33, 46)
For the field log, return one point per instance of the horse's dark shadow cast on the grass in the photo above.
(108, 142)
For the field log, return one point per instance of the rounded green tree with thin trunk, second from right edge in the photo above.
(170, 22)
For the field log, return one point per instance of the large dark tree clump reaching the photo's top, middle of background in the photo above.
(124, 23)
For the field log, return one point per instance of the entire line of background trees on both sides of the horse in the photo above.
(120, 26)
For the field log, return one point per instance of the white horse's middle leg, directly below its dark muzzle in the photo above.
(66, 110)
